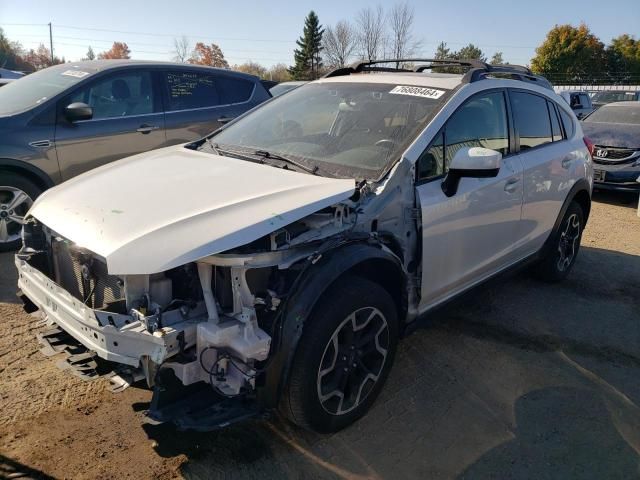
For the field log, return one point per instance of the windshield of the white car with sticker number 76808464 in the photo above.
(347, 130)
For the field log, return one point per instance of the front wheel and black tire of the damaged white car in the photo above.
(301, 399)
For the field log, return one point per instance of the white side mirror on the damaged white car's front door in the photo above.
(474, 162)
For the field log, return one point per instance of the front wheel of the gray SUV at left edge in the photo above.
(17, 194)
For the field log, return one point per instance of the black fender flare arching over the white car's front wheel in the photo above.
(313, 283)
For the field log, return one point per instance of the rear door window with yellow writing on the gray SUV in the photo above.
(187, 90)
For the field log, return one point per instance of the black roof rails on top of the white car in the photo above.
(477, 70)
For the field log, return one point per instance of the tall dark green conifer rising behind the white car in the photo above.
(307, 56)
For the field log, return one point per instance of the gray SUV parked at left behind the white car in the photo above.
(67, 119)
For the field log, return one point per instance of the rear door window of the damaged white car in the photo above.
(531, 119)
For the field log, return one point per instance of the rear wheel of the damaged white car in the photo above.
(557, 263)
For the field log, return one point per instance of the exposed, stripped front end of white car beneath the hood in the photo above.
(210, 336)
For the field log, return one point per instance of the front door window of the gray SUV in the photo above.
(119, 95)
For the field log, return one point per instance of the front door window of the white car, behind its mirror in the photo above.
(480, 122)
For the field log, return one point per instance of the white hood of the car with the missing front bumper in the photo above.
(161, 209)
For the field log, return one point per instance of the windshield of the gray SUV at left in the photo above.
(38, 87)
